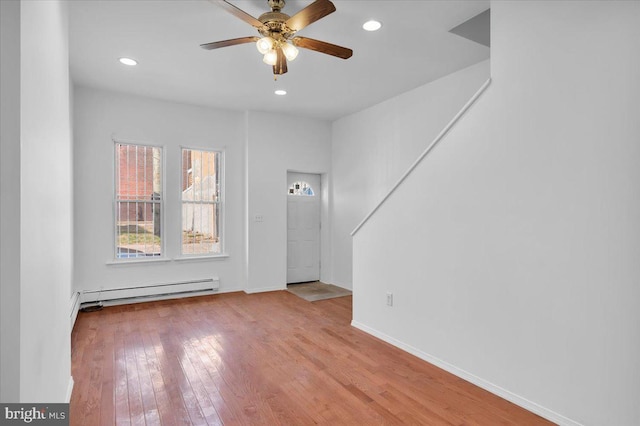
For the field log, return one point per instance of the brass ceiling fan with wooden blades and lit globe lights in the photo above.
(278, 42)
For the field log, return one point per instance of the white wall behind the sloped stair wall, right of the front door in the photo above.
(372, 149)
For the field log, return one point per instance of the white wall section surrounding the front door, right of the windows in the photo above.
(277, 144)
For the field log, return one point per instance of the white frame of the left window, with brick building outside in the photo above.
(116, 201)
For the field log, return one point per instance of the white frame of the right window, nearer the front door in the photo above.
(220, 202)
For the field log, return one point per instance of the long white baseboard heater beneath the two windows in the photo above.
(155, 291)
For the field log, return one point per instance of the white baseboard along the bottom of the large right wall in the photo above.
(478, 381)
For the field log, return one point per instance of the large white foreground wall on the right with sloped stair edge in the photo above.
(516, 241)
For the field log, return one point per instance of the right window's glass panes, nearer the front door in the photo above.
(201, 202)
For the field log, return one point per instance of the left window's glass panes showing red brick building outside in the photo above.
(138, 201)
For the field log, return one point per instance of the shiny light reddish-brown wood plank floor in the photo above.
(261, 359)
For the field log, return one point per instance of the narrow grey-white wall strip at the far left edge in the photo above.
(10, 205)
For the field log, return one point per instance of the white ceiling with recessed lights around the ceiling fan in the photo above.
(413, 47)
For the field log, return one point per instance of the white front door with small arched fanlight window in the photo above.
(303, 227)
